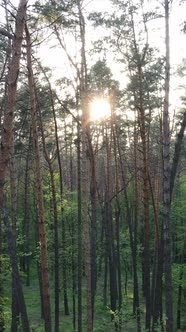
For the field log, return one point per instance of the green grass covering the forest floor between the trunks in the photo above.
(102, 318)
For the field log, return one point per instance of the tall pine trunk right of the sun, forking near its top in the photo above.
(139, 103)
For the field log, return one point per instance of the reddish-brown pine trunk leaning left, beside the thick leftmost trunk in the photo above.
(39, 192)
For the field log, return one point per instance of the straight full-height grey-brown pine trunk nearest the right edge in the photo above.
(166, 182)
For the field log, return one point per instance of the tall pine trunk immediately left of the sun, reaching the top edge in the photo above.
(85, 165)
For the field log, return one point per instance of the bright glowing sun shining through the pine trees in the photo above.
(99, 109)
